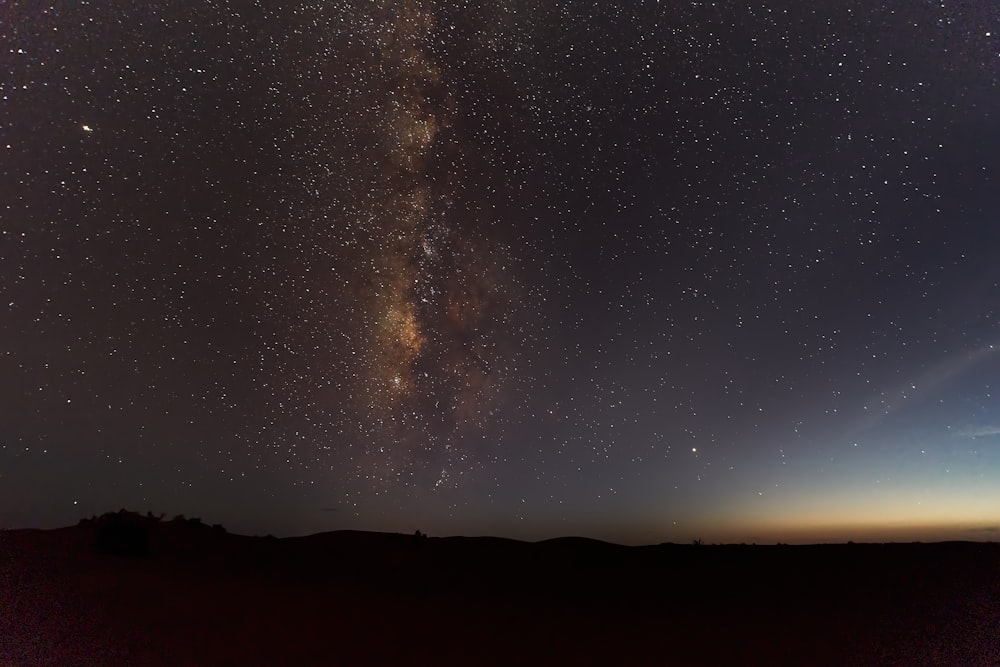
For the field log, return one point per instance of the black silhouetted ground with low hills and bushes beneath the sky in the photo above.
(173, 594)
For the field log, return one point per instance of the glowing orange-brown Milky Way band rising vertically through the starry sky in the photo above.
(435, 286)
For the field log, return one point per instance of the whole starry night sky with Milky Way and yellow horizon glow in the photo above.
(645, 273)
